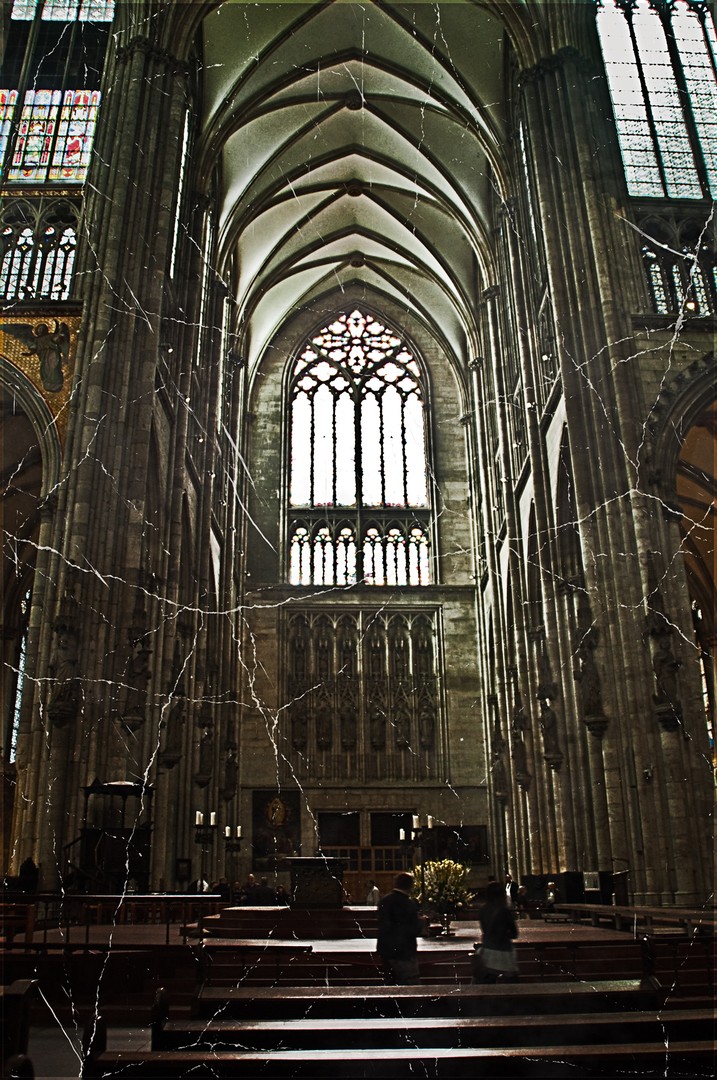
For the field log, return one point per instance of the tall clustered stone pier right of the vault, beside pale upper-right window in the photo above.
(591, 299)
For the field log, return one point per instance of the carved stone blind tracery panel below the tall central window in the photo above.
(362, 696)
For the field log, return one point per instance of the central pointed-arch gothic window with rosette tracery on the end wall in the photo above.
(359, 478)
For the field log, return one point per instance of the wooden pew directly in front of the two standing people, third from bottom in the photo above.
(293, 1003)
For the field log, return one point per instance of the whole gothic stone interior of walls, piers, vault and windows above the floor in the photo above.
(359, 440)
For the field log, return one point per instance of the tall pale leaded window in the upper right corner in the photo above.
(661, 64)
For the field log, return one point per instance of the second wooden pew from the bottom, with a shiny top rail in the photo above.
(429, 1032)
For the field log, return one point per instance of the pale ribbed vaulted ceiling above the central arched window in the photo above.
(356, 145)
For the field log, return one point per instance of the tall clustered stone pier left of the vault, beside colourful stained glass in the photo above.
(101, 501)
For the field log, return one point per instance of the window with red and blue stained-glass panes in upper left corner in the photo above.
(50, 103)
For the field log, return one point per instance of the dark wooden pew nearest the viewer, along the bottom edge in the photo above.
(648, 1060)
